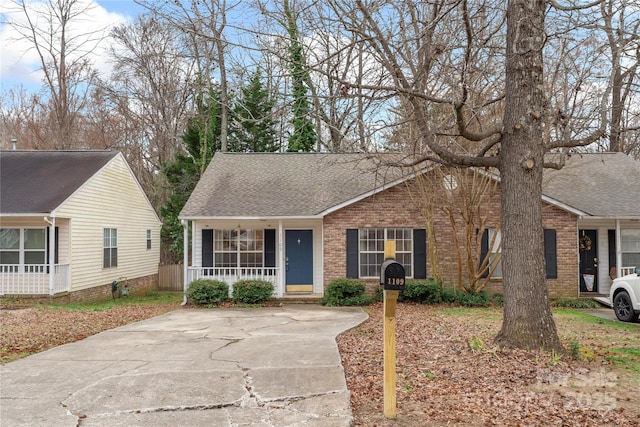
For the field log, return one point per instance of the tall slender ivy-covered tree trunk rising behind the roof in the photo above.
(304, 135)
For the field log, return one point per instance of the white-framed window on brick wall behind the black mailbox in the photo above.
(371, 249)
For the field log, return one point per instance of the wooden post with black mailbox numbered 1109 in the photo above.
(392, 278)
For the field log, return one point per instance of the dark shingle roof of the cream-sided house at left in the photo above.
(33, 182)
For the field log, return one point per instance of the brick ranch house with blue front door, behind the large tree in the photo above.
(302, 220)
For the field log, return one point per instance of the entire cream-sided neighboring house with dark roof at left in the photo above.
(72, 222)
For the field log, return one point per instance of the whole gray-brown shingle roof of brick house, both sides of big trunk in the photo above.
(312, 184)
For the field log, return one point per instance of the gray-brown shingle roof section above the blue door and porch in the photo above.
(283, 184)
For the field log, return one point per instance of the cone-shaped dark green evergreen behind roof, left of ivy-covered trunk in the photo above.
(254, 125)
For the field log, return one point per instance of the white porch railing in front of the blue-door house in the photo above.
(230, 275)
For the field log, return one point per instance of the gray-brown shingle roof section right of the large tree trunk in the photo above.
(597, 184)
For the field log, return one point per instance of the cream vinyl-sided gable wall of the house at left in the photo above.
(112, 198)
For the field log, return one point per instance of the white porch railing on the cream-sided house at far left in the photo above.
(33, 279)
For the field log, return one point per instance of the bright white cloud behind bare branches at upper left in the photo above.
(19, 61)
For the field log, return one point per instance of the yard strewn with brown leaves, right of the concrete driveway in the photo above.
(450, 373)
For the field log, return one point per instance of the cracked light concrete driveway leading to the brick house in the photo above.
(219, 367)
